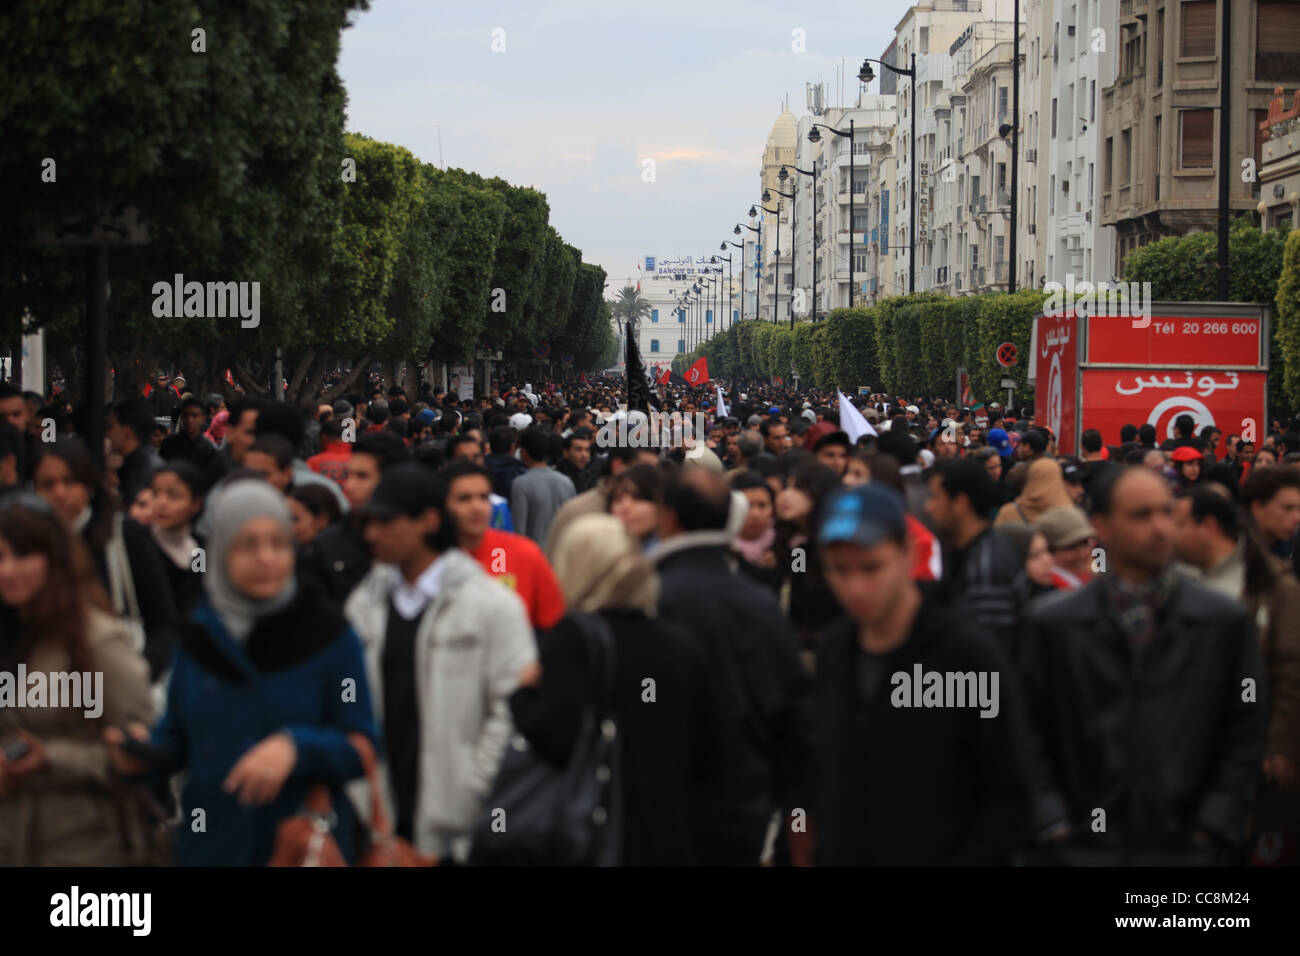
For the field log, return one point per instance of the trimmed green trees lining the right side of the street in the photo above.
(912, 345)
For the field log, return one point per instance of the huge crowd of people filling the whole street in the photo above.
(941, 641)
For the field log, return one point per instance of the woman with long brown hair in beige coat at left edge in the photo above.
(60, 802)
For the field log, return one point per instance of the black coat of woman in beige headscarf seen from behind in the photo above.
(671, 746)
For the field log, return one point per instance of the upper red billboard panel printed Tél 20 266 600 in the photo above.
(1176, 341)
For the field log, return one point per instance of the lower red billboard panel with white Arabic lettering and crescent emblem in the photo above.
(1117, 397)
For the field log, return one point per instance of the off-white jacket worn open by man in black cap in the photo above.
(473, 643)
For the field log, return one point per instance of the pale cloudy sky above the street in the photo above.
(584, 92)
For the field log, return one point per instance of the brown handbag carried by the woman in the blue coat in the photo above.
(305, 840)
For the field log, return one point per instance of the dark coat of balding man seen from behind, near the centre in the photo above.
(764, 695)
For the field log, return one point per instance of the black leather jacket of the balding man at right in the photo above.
(1163, 743)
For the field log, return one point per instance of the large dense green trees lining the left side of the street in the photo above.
(229, 146)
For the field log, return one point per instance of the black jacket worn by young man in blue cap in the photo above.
(905, 786)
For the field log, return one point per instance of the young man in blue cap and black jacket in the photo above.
(921, 734)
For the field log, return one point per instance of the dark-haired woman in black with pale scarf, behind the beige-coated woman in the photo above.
(127, 561)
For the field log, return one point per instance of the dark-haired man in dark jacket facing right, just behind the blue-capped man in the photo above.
(982, 570)
